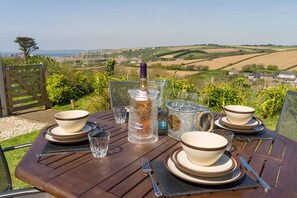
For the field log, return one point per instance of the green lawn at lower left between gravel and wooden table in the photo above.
(13, 157)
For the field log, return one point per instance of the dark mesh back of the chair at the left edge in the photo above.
(5, 179)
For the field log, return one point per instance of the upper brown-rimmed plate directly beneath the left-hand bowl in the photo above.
(56, 132)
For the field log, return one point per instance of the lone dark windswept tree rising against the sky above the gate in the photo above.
(27, 45)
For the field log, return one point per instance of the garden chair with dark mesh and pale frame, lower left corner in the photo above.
(6, 189)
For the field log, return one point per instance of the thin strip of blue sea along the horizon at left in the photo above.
(52, 53)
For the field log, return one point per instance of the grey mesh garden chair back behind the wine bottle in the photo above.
(119, 95)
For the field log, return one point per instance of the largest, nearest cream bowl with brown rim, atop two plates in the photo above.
(203, 148)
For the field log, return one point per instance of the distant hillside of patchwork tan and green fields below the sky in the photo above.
(206, 56)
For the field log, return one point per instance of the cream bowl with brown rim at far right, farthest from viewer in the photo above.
(238, 114)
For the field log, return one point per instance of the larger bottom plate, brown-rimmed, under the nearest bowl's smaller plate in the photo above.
(232, 177)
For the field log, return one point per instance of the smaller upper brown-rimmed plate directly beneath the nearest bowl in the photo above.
(222, 167)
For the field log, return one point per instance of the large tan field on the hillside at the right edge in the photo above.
(283, 60)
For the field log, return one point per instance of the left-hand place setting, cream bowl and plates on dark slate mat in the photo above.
(72, 133)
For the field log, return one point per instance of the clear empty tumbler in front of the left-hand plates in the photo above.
(99, 141)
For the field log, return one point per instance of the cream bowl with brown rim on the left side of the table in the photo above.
(72, 121)
